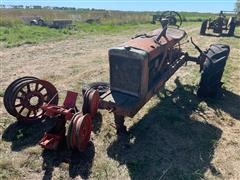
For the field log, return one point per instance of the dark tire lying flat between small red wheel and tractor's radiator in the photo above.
(102, 87)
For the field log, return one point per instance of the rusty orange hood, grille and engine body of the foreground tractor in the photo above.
(135, 65)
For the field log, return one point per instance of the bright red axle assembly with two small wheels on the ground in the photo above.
(80, 126)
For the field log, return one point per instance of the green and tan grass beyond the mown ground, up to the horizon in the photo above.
(14, 32)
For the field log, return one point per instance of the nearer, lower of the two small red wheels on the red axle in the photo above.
(79, 131)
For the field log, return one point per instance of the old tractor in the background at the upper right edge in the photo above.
(220, 25)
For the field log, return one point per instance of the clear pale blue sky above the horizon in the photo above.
(134, 5)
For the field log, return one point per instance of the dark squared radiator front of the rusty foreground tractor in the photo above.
(128, 71)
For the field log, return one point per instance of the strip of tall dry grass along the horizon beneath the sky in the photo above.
(9, 17)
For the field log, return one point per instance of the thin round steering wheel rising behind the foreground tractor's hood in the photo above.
(171, 18)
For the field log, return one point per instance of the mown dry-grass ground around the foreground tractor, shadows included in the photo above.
(175, 135)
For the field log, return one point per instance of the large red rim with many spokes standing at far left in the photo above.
(28, 96)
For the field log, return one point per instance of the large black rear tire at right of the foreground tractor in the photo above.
(213, 68)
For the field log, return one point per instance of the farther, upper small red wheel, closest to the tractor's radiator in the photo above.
(91, 102)
